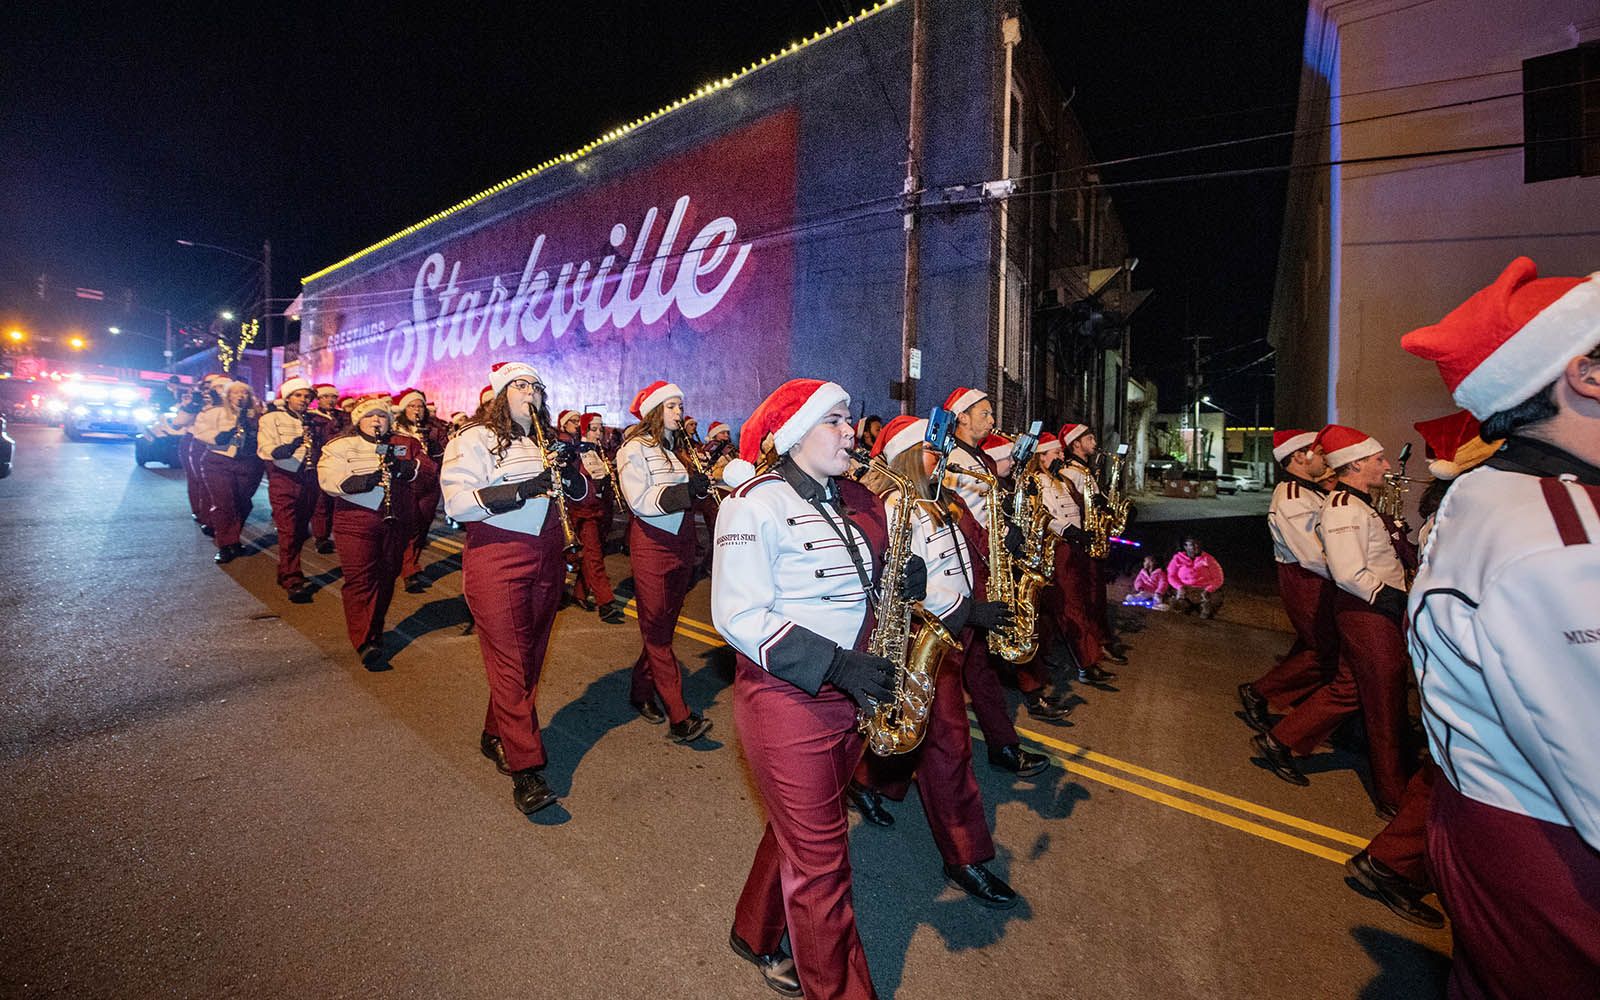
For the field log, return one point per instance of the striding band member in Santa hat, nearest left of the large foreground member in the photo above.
(1369, 559)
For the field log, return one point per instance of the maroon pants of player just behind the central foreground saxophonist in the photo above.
(943, 767)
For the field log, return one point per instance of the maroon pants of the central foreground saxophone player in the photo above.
(802, 753)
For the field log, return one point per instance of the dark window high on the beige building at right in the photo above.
(1561, 114)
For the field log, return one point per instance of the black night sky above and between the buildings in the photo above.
(327, 130)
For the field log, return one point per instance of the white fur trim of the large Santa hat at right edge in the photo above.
(1537, 354)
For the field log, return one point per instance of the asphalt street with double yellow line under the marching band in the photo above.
(207, 796)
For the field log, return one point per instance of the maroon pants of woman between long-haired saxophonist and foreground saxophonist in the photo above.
(663, 567)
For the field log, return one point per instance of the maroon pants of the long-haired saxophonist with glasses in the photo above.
(514, 585)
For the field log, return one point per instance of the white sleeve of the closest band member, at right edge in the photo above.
(1540, 647)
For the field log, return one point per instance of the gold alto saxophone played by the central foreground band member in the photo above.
(900, 724)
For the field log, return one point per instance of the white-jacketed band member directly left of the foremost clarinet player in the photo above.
(290, 444)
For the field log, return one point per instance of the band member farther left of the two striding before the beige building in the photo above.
(1303, 582)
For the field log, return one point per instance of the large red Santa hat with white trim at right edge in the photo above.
(1513, 338)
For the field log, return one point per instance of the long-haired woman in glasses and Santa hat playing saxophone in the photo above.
(514, 564)
